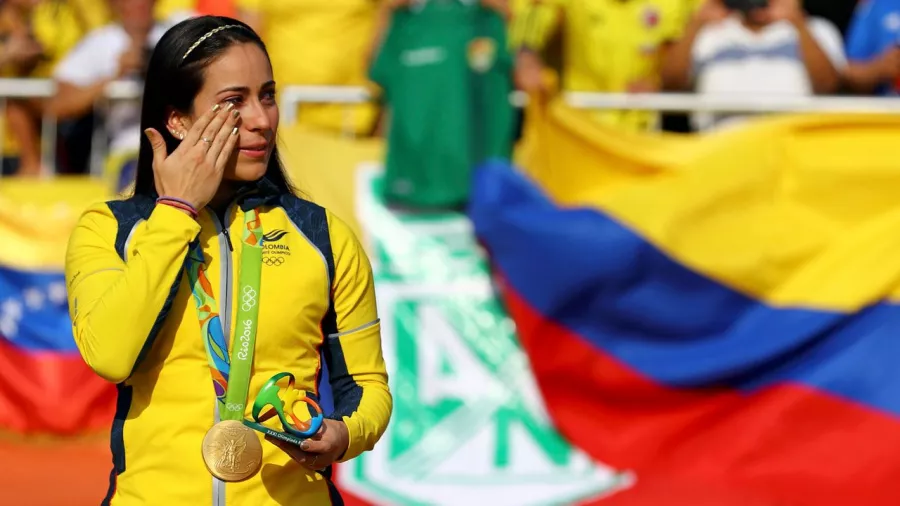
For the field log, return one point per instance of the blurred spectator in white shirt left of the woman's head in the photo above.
(117, 51)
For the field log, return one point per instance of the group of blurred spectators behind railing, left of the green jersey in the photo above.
(84, 45)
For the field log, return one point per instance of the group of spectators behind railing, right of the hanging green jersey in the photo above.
(717, 47)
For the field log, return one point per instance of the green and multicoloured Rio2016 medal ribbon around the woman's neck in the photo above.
(230, 374)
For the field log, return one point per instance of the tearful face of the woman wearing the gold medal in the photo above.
(242, 75)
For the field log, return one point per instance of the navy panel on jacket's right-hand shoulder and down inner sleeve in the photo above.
(345, 393)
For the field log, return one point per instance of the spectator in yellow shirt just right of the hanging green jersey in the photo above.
(609, 46)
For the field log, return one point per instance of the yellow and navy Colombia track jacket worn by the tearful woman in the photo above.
(136, 325)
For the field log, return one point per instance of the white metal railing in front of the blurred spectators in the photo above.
(292, 96)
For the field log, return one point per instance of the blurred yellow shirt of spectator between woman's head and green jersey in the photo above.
(320, 42)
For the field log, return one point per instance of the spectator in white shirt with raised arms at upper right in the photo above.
(771, 50)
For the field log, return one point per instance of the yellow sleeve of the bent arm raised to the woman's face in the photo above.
(114, 305)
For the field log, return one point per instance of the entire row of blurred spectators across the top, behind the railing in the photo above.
(780, 47)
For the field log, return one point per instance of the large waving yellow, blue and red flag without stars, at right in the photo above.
(718, 314)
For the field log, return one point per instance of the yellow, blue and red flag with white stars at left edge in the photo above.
(44, 384)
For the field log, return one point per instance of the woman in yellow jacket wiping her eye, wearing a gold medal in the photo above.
(213, 278)
